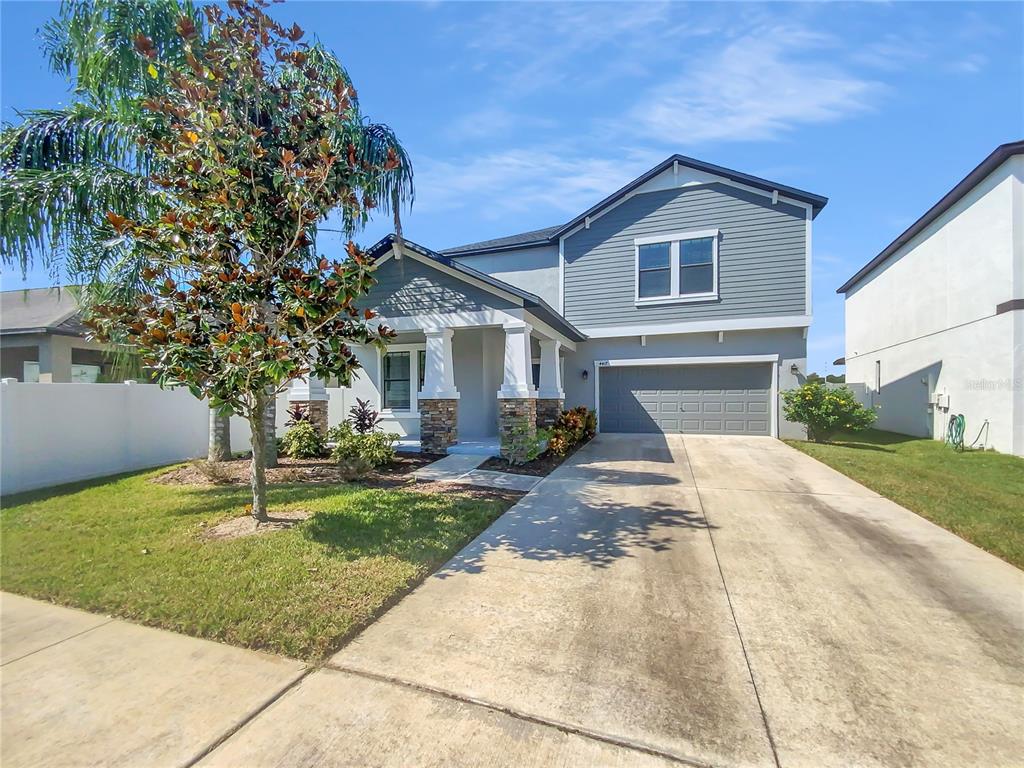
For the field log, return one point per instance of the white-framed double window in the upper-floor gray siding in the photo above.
(677, 268)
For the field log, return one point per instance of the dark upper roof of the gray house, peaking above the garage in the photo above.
(551, 235)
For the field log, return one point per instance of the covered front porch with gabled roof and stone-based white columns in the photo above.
(477, 365)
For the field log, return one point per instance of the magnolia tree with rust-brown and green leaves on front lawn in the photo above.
(260, 140)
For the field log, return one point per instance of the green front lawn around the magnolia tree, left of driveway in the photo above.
(300, 592)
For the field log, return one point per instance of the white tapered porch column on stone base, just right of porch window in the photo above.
(439, 401)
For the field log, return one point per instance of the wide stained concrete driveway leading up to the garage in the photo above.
(711, 601)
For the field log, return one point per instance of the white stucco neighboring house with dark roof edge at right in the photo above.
(935, 323)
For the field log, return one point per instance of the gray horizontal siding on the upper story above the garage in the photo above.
(762, 258)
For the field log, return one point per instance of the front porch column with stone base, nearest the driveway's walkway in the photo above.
(518, 398)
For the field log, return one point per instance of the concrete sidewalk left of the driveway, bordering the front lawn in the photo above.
(80, 690)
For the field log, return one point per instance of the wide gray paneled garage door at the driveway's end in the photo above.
(698, 400)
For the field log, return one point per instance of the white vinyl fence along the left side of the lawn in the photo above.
(56, 434)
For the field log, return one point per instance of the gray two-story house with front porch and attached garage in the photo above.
(679, 304)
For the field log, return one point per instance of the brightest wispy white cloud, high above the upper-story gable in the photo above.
(758, 88)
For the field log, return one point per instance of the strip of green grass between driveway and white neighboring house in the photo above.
(977, 495)
